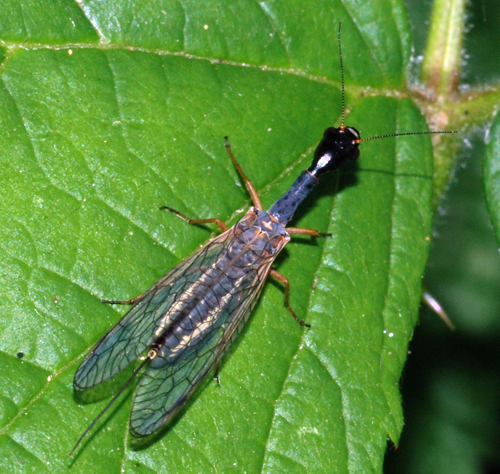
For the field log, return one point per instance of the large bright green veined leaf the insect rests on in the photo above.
(97, 135)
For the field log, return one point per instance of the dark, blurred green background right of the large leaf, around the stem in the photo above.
(451, 383)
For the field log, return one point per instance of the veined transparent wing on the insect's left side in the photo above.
(138, 329)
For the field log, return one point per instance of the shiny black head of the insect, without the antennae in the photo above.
(338, 146)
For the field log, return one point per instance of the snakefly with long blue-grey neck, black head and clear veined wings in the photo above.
(186, 321)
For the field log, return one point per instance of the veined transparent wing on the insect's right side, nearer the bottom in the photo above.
(170, 379)
